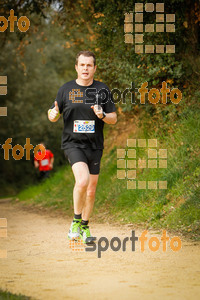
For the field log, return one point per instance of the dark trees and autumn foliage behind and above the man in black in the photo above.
(39, 61)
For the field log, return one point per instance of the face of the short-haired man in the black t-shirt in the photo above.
(85, 68)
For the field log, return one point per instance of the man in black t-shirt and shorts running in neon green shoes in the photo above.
(86, 104)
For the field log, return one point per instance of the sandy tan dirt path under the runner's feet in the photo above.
(41, 264)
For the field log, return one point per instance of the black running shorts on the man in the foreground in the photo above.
(91, 157)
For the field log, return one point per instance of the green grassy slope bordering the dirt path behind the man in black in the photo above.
(177, 208)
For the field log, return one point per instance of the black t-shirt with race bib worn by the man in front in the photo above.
(82, 128)
